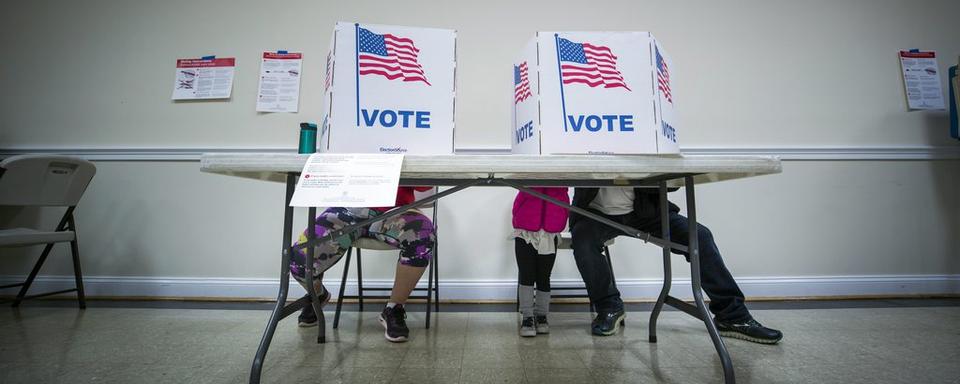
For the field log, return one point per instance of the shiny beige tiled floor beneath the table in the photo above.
(149, 345)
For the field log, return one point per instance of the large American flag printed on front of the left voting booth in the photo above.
(389, 56)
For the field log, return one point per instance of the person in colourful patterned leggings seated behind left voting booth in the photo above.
(411, 232)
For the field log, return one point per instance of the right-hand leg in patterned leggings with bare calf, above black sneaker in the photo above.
(413, 234)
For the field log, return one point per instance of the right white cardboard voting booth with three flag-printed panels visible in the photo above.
(594, 93)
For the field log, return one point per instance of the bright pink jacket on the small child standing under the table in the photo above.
(532, 214)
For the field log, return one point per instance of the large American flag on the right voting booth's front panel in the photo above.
(593, 65)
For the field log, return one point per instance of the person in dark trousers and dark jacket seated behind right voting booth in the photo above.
(640, 208)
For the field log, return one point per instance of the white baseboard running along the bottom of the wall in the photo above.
(631, 289)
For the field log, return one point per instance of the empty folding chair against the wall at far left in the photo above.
(48, 181)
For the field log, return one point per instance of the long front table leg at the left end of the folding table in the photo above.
(275, 317)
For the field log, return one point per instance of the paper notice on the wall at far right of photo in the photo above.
(921, 77)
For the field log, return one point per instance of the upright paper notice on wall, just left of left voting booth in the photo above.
(279, 89)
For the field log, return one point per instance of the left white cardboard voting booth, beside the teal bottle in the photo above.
(389, 89)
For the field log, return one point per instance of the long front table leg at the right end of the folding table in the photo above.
(694, 252)
